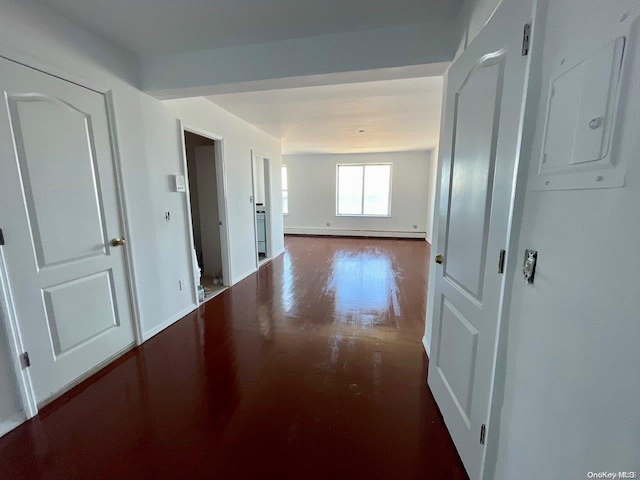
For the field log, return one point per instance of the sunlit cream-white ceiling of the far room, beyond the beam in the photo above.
(396, 115)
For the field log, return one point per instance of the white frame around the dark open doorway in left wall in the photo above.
(223, 208)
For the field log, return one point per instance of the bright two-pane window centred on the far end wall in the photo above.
(364, 190)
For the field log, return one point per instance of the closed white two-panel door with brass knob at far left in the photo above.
(59, 213)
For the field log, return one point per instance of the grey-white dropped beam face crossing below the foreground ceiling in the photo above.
(293, 62)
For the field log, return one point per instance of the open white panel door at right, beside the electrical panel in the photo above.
(479, 148)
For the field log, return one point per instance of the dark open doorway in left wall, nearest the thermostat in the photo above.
(207, 199)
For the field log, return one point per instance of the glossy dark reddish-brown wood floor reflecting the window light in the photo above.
(312, 368)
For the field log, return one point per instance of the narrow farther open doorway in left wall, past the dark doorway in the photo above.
(261, 169)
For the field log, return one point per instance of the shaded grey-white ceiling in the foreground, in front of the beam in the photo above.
(150, 27)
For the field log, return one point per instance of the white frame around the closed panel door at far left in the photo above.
(12, 324)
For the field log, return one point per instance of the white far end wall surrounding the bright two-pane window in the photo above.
(312, 194)
